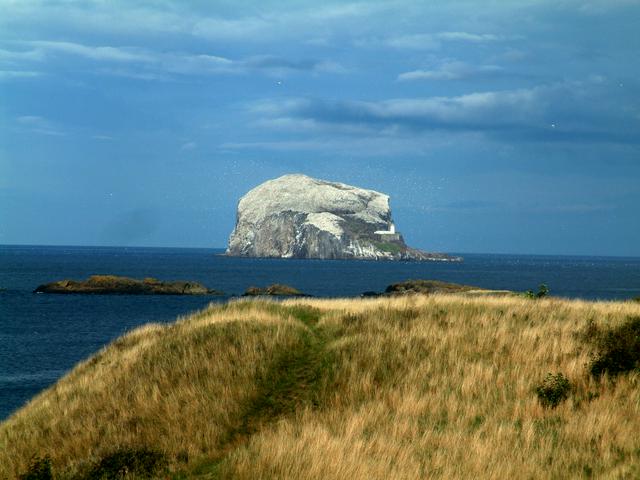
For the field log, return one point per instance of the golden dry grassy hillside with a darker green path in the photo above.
(441, 386)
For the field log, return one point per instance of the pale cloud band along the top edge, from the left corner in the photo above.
(245, 22)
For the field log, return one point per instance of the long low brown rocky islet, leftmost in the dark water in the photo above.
(116, 285)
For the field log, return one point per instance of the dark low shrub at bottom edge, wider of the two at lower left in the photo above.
(141, 462)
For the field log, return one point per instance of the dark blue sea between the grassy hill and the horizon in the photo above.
(43, 336)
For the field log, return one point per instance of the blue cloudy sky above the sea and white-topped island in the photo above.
(494, 126)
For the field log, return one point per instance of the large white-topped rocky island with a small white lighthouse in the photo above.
(296, 216)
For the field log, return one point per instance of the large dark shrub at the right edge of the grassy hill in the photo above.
(617, 348)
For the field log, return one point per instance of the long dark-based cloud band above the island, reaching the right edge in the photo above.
(563, 112)
